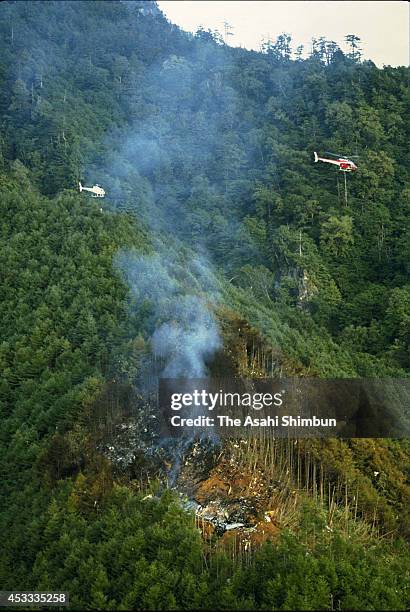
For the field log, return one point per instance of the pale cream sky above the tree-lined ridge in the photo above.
(382, 26)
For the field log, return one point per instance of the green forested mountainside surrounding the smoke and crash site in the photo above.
(215, 219)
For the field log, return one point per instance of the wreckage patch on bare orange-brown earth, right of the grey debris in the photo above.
(233, 501)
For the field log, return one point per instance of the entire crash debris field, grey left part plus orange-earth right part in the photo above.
(235, 499)
